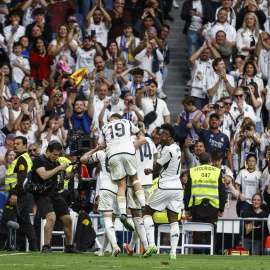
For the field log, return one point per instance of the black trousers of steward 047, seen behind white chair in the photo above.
(204, 214)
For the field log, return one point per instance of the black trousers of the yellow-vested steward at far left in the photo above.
(21, 212)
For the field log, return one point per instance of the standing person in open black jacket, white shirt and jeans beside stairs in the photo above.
(196, 14)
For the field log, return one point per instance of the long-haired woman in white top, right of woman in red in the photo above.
(59, 46)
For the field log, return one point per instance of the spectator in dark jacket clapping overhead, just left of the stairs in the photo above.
(147, 23)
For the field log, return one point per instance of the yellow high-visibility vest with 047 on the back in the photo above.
(204, 185)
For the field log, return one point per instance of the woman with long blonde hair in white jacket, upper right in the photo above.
(248, 35)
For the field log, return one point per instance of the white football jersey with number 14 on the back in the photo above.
(145, 159)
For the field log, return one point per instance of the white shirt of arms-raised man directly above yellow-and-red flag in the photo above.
(85, 59)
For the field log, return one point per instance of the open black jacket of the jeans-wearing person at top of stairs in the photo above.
(208, 14)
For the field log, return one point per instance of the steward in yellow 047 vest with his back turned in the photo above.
(205, 196)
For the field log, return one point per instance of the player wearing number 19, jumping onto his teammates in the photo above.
(116, 138)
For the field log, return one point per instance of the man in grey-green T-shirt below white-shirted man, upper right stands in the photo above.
(224, 49)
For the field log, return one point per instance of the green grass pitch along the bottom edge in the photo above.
(20, 260)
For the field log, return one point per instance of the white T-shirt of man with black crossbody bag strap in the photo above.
(162, 110)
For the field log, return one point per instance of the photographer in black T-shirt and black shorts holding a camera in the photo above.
(49, 202)
